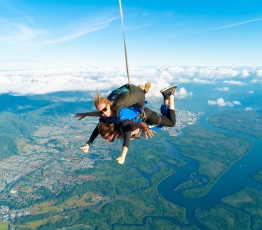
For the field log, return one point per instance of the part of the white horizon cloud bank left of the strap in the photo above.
(47, 81)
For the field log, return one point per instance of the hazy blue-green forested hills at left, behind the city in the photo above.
(21, 115)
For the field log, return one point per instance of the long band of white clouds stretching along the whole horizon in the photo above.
(89, 79)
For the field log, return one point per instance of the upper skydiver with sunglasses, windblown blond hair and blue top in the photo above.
(127, 116)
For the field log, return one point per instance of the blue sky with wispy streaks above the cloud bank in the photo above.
(88, 33)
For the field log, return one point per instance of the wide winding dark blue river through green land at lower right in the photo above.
(232, 181)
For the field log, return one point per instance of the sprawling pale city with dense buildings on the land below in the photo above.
(49, 157)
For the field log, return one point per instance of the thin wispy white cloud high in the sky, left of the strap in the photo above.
(23, 33)
